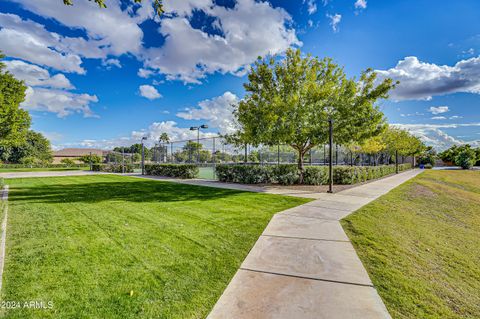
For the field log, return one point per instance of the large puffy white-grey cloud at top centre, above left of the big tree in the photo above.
(248, 30)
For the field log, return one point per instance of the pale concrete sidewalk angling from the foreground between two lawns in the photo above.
(304, 266)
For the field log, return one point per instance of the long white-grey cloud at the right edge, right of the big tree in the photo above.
(421, 80)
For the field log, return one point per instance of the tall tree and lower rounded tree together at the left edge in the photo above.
(18, 144)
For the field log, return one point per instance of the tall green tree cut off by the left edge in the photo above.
(14, 121)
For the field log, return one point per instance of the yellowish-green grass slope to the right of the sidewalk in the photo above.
(421, 245)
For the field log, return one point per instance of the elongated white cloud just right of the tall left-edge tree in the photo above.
(61, 102)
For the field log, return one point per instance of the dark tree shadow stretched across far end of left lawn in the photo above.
(132, 191)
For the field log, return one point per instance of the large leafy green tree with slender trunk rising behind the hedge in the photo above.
(290, 101)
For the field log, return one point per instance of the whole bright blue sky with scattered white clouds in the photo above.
(106, 77)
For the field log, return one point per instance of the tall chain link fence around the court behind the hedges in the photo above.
(208, 152)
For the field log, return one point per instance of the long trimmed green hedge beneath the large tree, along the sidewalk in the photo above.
(313, 175)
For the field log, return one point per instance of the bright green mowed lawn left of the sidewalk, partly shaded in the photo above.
(121, 247)
